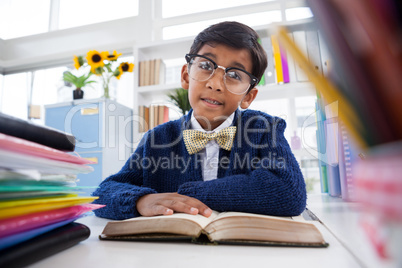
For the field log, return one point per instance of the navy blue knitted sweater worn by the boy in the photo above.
(259, 175)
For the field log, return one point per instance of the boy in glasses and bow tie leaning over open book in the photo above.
(246, 164)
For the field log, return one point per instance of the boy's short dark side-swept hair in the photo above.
(235, 35)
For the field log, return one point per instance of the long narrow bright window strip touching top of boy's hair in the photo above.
(192, 29)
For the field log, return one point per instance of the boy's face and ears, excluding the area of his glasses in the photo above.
(212, 103)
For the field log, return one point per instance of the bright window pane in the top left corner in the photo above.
(23, 17)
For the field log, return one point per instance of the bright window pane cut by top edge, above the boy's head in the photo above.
(173, 8)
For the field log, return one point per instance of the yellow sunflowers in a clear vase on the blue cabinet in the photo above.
(104, 65)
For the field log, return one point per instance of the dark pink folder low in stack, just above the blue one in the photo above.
(31, 221)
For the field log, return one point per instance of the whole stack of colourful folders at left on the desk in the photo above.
(39, 199)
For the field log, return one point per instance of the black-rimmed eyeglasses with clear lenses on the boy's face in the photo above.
(237, 81)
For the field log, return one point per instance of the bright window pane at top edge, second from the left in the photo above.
(75, 13)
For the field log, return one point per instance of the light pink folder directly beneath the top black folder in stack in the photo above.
(18, 145)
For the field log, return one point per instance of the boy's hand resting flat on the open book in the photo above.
(168, 203)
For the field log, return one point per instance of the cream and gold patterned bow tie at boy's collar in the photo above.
(196, 140)
